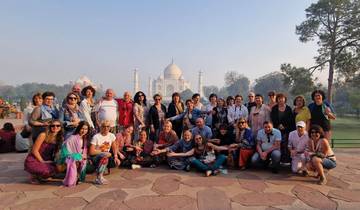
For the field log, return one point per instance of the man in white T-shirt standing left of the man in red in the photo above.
(106, 109)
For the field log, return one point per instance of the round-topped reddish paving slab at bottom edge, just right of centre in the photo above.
(213, 199)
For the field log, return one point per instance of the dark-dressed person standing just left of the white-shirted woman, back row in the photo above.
(220, 113)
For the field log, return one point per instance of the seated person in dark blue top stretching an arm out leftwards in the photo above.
(179, 153)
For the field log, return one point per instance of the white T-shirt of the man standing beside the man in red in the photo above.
(107, 110)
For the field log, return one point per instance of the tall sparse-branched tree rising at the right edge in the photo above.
(336, 26)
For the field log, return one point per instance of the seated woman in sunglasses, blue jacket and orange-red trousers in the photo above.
(244, 144)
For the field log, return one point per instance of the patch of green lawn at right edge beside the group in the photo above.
(346, 128)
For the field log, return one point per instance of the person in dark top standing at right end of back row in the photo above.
(321, 112)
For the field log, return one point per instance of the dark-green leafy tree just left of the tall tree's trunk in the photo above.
(299, 80)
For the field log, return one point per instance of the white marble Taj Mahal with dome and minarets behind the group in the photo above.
(169, 81)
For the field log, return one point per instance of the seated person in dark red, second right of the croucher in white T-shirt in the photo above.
(141, 156)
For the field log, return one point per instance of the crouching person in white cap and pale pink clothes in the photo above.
(298, 140)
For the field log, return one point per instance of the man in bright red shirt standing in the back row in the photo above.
(125, 110)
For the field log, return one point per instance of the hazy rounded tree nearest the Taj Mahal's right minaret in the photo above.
(236, 83)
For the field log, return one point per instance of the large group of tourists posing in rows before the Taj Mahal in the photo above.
(87, 135)
